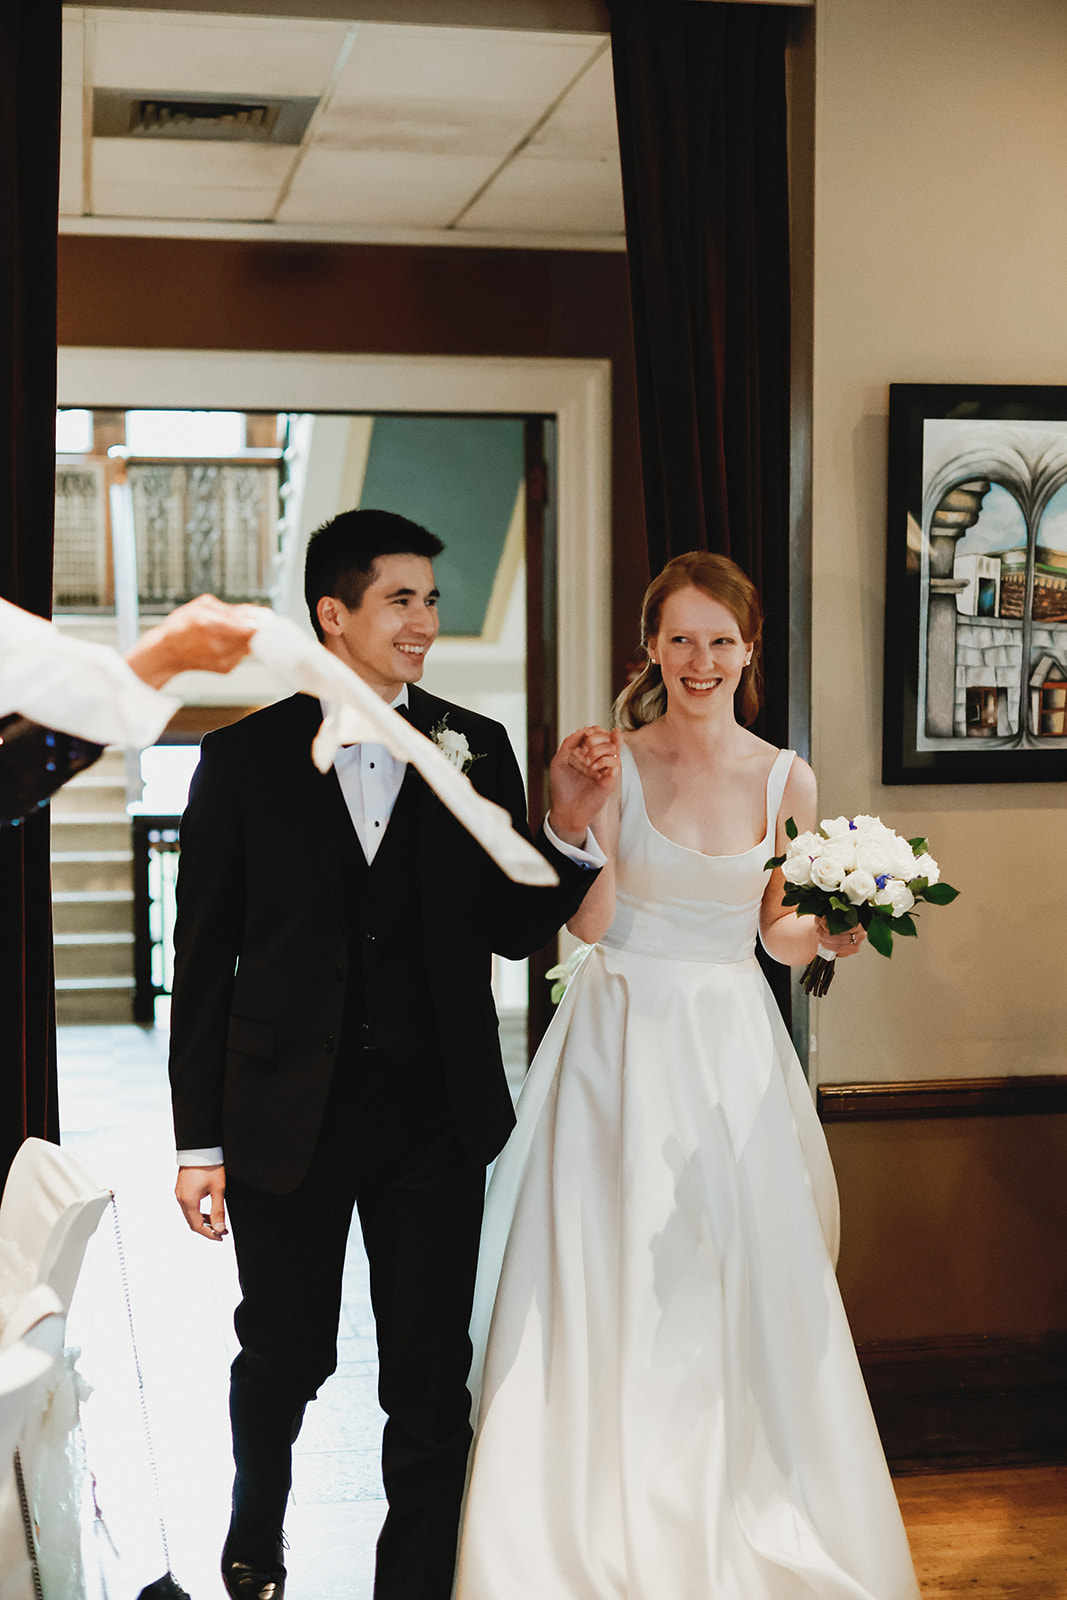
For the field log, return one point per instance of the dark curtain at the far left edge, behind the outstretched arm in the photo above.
(30, 202)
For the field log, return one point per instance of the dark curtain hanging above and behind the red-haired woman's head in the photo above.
(701, 103)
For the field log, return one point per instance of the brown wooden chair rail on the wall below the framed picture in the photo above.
(943, 1098)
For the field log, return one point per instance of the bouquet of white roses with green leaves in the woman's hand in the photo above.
(857, 871)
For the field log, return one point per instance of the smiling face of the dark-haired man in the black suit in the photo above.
(388, 636)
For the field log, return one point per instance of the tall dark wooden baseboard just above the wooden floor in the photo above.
(970, 1402)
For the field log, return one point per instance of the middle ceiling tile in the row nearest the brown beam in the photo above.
(383, 190)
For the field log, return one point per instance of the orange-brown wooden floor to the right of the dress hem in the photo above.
(989, 1534)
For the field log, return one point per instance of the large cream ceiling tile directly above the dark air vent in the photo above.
(178, 52)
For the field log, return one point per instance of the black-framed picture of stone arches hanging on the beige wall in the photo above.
(977, 609)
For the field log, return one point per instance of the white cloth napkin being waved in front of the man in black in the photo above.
(356, 713)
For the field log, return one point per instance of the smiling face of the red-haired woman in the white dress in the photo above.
(700, 650)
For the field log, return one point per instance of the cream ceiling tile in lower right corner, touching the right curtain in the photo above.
(543, 196)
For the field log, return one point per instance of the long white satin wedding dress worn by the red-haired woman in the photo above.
(671, 1406)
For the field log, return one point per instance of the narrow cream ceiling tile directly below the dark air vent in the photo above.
(202, 166)
